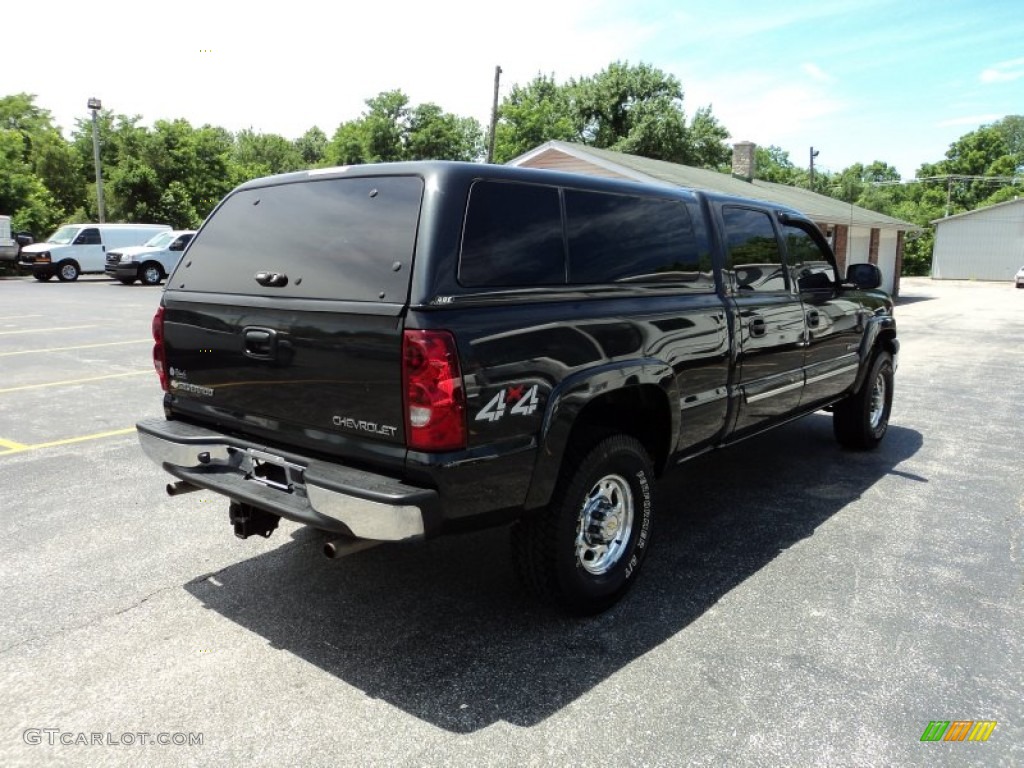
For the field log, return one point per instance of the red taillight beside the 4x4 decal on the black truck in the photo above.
(436, 402)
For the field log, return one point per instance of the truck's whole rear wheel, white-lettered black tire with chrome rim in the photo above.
(564, 554)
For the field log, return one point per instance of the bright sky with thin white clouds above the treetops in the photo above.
(859, 81)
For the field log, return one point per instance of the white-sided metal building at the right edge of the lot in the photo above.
(988, 244)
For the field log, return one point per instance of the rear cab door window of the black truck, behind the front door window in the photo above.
(754, 259)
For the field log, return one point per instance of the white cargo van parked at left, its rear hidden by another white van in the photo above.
(76, 249)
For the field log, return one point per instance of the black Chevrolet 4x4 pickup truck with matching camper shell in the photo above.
(395, 352)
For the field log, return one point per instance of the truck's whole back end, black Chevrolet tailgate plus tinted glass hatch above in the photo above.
(285, 318)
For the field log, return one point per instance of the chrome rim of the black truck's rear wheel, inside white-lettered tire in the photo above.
(605, 525)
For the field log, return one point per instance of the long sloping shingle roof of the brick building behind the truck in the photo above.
(819, 207)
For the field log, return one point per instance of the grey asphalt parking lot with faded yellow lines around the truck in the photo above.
(802, 606)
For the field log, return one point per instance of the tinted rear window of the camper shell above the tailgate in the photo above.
(348, 239)
